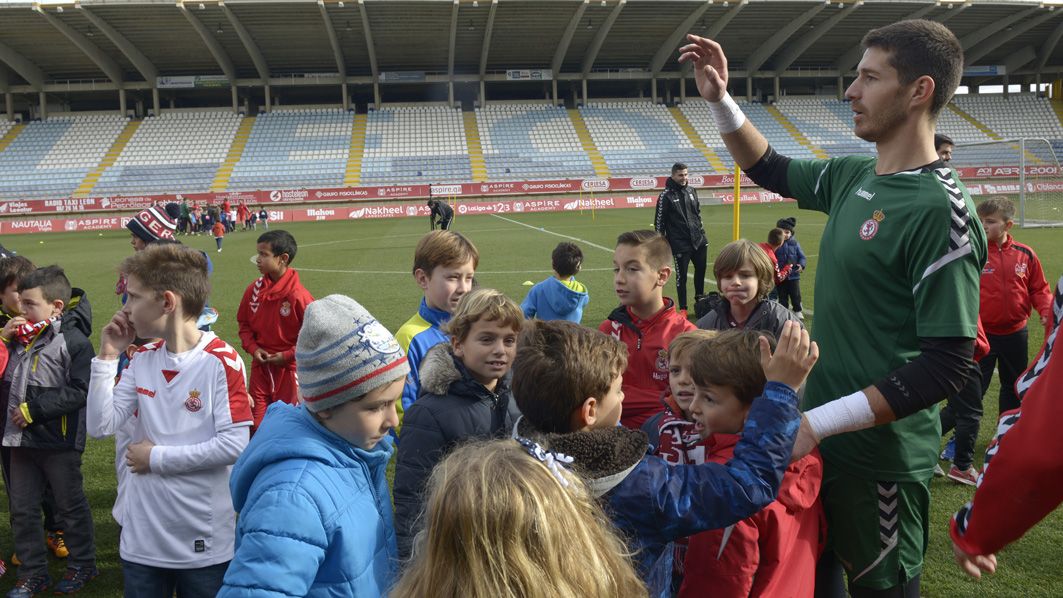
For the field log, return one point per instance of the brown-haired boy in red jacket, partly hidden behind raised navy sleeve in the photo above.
(773, 553)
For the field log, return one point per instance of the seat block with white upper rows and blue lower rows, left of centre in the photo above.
(415, 145)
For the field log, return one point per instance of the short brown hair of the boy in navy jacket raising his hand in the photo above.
(560, 365)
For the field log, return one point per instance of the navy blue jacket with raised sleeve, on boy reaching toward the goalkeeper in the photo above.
(654, 503)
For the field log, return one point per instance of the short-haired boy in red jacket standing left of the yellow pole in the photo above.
(646, 321)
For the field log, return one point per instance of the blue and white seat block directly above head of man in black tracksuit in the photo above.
(640, 139)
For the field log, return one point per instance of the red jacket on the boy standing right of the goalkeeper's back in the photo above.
(1013, 283)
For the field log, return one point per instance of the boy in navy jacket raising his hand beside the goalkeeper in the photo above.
(567, 382)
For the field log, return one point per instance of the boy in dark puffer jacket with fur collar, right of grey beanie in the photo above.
(465, 395)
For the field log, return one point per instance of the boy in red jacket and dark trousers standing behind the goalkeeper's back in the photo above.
(1013, 283)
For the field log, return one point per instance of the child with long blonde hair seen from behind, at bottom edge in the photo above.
(505, 519)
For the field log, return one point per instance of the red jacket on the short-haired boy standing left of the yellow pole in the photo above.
(647, 340)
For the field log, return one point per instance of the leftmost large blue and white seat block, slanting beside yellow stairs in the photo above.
(49, 159)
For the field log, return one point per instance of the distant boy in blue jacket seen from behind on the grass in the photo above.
(560, 297)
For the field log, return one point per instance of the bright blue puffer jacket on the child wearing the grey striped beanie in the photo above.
(315, 514)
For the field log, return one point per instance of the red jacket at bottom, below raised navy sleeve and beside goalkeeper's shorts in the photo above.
(772, 554)
